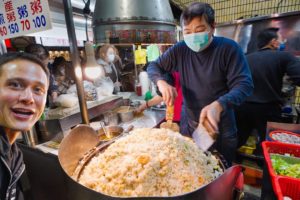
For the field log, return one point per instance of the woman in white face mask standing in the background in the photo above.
(108, 57)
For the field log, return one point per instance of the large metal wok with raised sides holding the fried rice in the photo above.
(74, 146)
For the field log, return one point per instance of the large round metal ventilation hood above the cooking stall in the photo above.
(133, 21)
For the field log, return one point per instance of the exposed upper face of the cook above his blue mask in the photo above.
(197, 25)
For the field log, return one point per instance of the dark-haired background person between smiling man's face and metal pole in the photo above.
(63, 77)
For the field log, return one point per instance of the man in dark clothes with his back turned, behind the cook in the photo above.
(268, 65)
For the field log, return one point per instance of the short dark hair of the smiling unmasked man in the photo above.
(9, 57)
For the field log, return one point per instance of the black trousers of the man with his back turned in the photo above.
(254, 116)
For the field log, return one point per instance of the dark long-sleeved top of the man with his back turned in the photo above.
(268, 68)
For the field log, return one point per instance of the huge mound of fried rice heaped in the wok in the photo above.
(150, 162)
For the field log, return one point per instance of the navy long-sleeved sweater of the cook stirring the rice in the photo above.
(220, 72)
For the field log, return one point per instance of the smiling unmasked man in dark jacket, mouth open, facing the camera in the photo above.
(24, 80)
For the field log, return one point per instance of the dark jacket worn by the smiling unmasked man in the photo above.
(11, 169)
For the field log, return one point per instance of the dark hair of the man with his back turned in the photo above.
(265, 36)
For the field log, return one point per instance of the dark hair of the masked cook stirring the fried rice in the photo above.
(198, 9)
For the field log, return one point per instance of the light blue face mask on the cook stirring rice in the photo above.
(196, 41)
